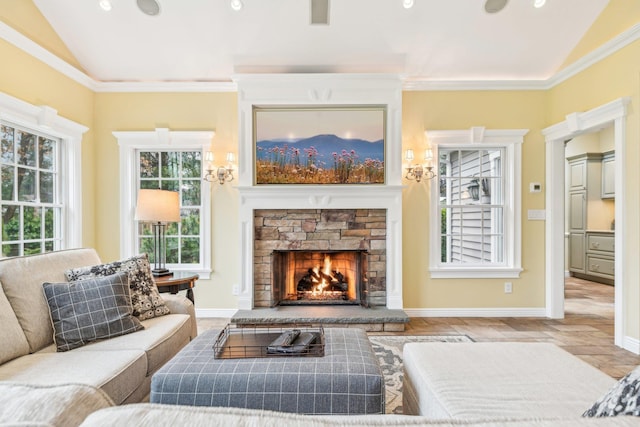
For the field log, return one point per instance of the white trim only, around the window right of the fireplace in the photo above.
(478, 138)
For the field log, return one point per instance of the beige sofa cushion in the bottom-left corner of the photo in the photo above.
(56, 405)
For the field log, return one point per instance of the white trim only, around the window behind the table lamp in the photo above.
(159, 139)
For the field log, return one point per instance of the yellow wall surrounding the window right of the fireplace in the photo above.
(462, 110)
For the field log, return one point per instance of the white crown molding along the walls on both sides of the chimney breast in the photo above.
(22, 42)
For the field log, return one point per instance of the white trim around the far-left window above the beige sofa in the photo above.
(45, 119)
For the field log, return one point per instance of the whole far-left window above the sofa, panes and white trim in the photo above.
(40, 177)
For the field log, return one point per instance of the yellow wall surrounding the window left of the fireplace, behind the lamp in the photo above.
(186, 111)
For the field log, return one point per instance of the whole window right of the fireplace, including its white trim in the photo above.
(475, 226)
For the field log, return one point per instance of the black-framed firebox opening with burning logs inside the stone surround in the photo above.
(319, 277)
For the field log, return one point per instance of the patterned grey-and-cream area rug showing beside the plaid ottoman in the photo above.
(388, 349)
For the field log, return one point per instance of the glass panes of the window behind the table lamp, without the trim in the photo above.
(179, 171)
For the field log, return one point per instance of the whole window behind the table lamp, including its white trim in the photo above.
(171, 161)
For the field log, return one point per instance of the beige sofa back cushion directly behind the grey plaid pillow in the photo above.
(22, 279)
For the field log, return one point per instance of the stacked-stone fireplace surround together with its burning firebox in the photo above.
(319, 257)
